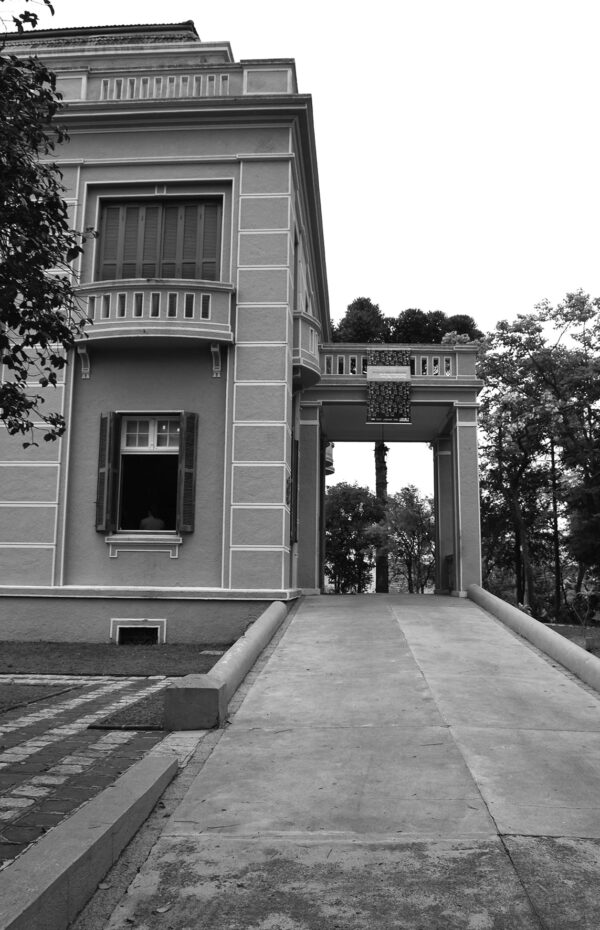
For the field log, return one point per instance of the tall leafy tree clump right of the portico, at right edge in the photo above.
(541, 450)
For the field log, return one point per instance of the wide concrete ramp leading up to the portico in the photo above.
(400, 762)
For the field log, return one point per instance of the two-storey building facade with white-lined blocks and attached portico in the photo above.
(188, 488)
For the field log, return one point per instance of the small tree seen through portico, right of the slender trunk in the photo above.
(411, 539)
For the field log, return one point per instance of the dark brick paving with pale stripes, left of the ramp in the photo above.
(51, 763)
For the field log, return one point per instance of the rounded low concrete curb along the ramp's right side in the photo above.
(573, 657)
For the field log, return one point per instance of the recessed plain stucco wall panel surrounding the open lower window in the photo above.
(153, 380)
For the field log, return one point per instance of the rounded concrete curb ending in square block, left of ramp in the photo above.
(199, 702)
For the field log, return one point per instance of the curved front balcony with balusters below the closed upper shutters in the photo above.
(183, 309)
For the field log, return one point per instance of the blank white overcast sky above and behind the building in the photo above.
(458, 145)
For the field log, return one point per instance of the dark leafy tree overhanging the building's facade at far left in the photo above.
(40, 317)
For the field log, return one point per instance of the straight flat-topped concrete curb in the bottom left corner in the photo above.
(48, 885)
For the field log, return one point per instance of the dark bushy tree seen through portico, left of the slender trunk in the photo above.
(350, 514)
